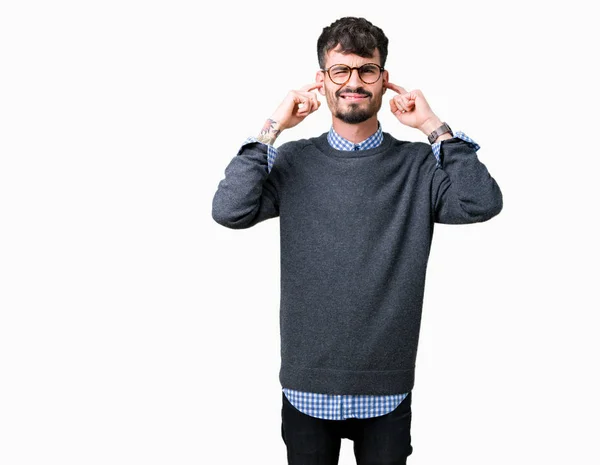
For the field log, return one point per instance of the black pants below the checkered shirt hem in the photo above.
(383, 440)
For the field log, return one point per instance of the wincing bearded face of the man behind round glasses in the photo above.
(339, 96)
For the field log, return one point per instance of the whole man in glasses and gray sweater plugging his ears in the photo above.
(357, 209)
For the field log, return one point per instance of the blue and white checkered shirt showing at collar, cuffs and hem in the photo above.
(343, 406)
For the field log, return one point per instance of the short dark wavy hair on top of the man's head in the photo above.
(355, 35)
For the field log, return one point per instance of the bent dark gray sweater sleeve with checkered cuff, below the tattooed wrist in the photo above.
(247, 194)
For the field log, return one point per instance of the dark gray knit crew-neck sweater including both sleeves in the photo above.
(356, 230)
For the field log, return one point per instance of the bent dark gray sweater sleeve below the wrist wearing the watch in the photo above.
(463, 191)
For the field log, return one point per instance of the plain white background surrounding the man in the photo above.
(135, 329)
